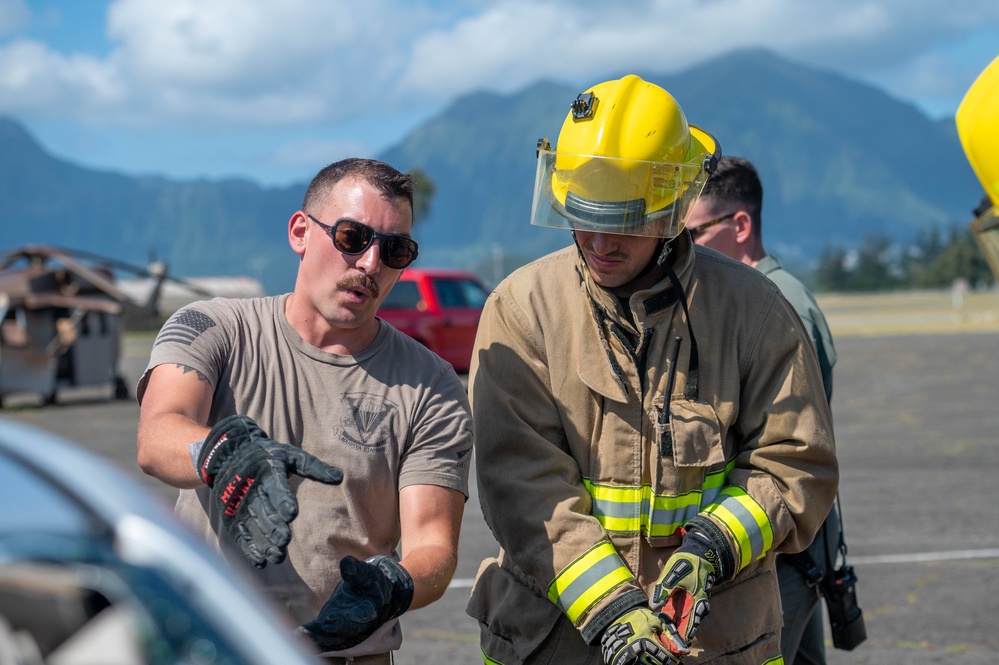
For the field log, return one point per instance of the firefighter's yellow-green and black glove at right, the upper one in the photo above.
(683, 586)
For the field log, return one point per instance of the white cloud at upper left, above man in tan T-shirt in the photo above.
(229, 61)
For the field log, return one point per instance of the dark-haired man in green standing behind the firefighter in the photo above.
(728, 218)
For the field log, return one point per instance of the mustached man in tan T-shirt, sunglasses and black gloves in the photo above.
(240, 396)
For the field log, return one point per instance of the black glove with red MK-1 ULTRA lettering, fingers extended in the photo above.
(248, 475)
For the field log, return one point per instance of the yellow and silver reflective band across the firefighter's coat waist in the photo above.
(630, 509)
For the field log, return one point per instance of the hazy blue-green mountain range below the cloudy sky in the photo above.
(840, 161)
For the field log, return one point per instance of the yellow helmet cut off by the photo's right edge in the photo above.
(978, 127)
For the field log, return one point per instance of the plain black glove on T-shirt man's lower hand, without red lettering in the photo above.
(370, 593)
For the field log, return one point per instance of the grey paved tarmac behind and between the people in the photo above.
(916, 419)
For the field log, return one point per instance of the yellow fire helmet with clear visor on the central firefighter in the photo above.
(626, 162)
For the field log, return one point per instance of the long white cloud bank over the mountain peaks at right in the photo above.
(512, 43)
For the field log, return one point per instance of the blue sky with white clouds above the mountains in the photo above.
(273, 90)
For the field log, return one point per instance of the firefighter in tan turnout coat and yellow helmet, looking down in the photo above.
(650, 423)
